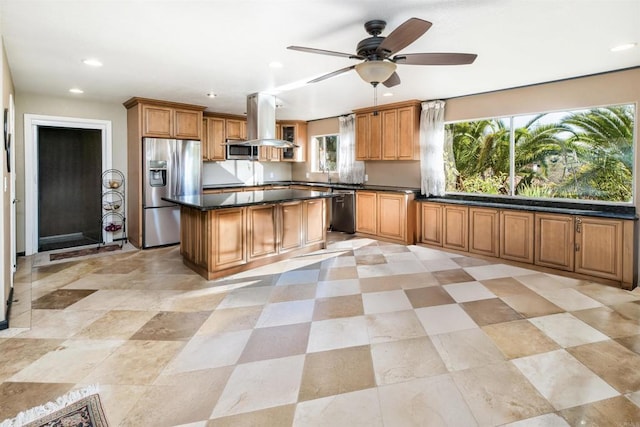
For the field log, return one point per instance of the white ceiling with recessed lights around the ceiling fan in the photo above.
(179, 50)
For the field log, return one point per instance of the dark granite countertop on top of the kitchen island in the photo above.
(207, 202)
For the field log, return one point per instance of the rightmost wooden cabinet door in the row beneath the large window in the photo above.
(599, 244)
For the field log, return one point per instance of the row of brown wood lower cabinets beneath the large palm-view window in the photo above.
(590, 246)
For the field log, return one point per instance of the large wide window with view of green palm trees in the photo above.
(580, 154)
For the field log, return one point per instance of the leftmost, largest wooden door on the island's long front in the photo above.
(229, 238)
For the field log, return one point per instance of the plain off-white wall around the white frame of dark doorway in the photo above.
(64, 106)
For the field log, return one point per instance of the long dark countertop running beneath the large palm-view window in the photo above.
(561, 207)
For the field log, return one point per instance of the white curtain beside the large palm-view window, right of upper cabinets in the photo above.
(432, 148)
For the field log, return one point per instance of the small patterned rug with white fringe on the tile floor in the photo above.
(78, 408)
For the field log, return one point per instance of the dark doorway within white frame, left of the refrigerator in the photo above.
(69, 187)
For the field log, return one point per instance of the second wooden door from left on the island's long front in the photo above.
(261, 227)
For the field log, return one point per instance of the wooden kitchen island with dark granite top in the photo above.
(223, 234)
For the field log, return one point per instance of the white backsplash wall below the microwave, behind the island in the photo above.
(244, 172)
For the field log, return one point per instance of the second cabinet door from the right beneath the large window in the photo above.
(554, 246)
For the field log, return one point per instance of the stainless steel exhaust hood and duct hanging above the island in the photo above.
(261, 123)
